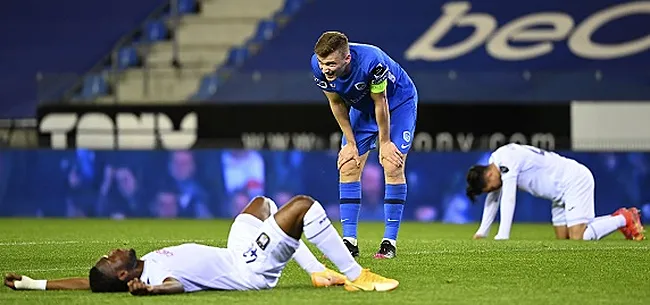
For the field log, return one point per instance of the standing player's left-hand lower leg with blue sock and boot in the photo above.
(350, 200)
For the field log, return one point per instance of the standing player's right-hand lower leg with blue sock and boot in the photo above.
(394, 199)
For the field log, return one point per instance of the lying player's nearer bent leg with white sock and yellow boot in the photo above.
(304, 214)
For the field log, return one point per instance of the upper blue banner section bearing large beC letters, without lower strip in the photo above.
(477, 35)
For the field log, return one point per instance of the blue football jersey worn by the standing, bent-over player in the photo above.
(369, 65)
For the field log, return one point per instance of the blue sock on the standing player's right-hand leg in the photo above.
(394, 199)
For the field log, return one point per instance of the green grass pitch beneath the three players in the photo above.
(435, 264)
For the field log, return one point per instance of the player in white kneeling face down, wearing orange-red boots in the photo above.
(567, 183)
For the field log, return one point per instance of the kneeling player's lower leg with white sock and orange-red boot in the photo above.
(628, 221)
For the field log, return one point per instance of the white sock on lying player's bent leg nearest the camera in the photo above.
(319, 230)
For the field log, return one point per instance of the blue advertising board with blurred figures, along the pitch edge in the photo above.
(219, 183)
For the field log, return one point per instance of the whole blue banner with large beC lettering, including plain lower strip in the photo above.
(469, 51)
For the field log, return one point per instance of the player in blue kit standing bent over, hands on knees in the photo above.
(383, 108)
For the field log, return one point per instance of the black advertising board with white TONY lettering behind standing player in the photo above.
(442, 127)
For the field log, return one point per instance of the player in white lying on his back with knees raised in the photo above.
(260, 244)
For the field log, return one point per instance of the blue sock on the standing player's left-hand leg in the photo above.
(350, 199)
